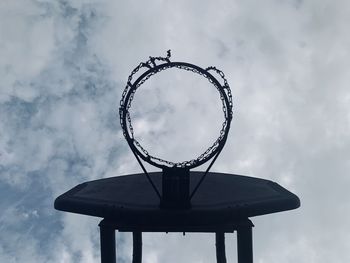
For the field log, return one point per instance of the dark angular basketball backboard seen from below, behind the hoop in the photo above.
(222, 199)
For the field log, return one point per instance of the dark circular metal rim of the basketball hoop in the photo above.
(128, 95)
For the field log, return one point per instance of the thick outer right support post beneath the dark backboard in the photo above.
(245, 242)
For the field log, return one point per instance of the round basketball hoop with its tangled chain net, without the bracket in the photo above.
(156, 65)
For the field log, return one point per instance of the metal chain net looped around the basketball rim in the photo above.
(149, 64)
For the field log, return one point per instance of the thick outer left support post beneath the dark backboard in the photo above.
(107, 243)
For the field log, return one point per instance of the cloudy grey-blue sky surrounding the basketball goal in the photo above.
(64, 65)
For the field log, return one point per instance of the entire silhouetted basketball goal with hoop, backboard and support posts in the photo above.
(176, 199)
